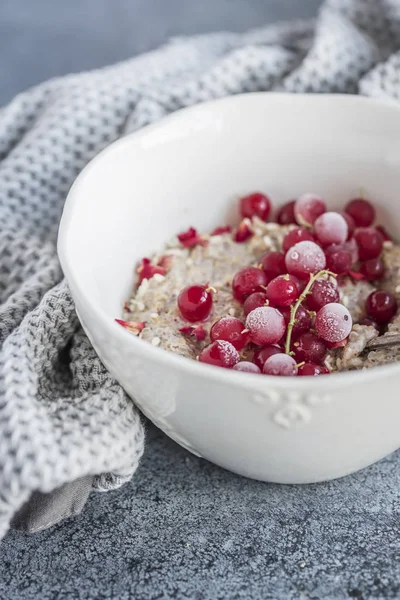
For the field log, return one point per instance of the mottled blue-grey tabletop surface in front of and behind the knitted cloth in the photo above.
(184, 528)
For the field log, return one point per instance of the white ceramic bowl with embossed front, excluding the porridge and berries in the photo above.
(188, 170)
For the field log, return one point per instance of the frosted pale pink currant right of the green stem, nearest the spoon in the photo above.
(333, 322)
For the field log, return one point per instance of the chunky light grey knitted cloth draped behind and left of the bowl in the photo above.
(62, 418)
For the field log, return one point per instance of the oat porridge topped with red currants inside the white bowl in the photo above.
(308, 294)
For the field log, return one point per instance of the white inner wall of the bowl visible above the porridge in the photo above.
(190, 168)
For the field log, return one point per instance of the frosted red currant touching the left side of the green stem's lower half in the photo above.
(266, 325)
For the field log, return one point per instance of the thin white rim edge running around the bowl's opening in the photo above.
(161, 356)
